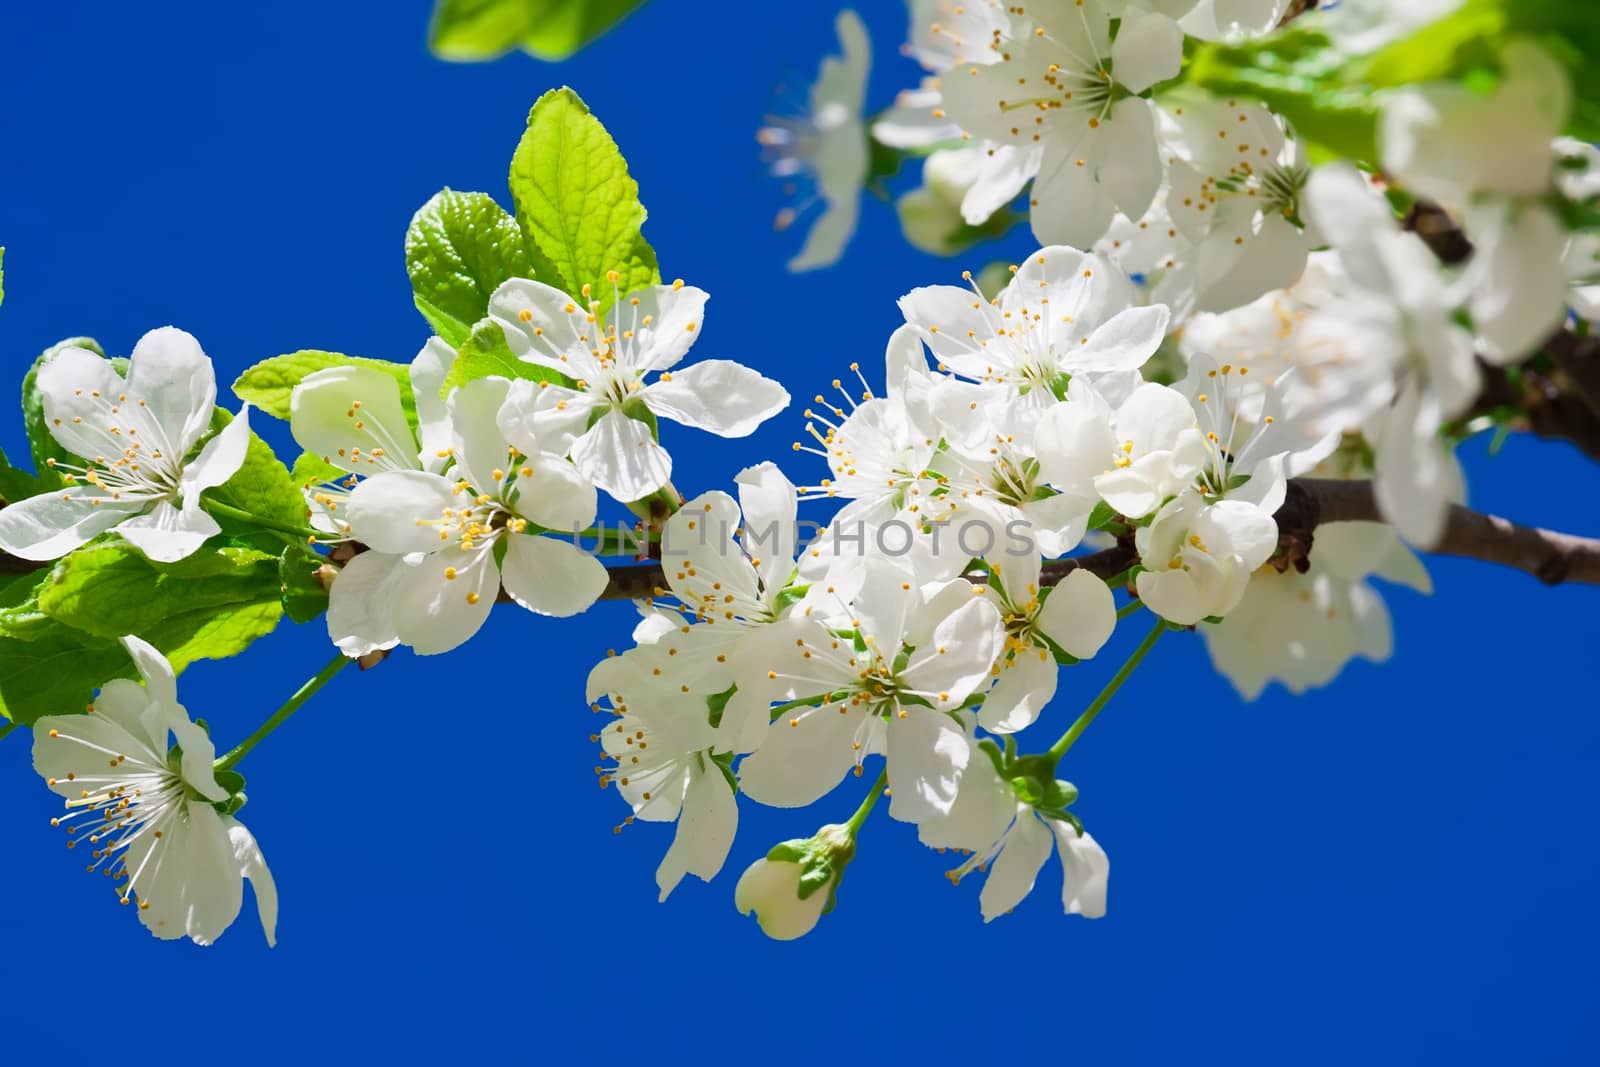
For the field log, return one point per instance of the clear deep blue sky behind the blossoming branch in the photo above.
(1399, 869)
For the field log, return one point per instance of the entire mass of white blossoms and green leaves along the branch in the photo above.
(1132, 423)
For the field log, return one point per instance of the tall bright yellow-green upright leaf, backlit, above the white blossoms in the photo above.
(577, 202)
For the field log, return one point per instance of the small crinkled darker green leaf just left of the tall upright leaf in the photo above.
(458, 249)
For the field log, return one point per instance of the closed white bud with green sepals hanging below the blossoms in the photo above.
(794, 885)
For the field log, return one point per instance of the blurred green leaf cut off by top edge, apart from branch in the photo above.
(550, 30)
